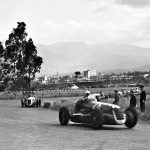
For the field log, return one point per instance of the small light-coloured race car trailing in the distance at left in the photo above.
(31, 101)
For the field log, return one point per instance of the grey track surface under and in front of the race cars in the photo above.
(39, 129)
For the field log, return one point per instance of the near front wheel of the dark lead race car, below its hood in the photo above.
(97, 119)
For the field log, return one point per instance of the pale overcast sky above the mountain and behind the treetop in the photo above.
(92, 21)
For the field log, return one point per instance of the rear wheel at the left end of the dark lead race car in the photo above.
(64, 115)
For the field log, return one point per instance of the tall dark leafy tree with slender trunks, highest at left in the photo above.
(20, 57)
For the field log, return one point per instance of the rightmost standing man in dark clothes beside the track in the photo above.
(142, 98)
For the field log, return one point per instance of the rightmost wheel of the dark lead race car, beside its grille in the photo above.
(131, 117)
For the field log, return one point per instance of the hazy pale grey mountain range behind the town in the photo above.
(80, 56)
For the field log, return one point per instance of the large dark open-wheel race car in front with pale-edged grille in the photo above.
(96, 114)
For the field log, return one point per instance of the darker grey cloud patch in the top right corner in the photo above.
(134, 3)
